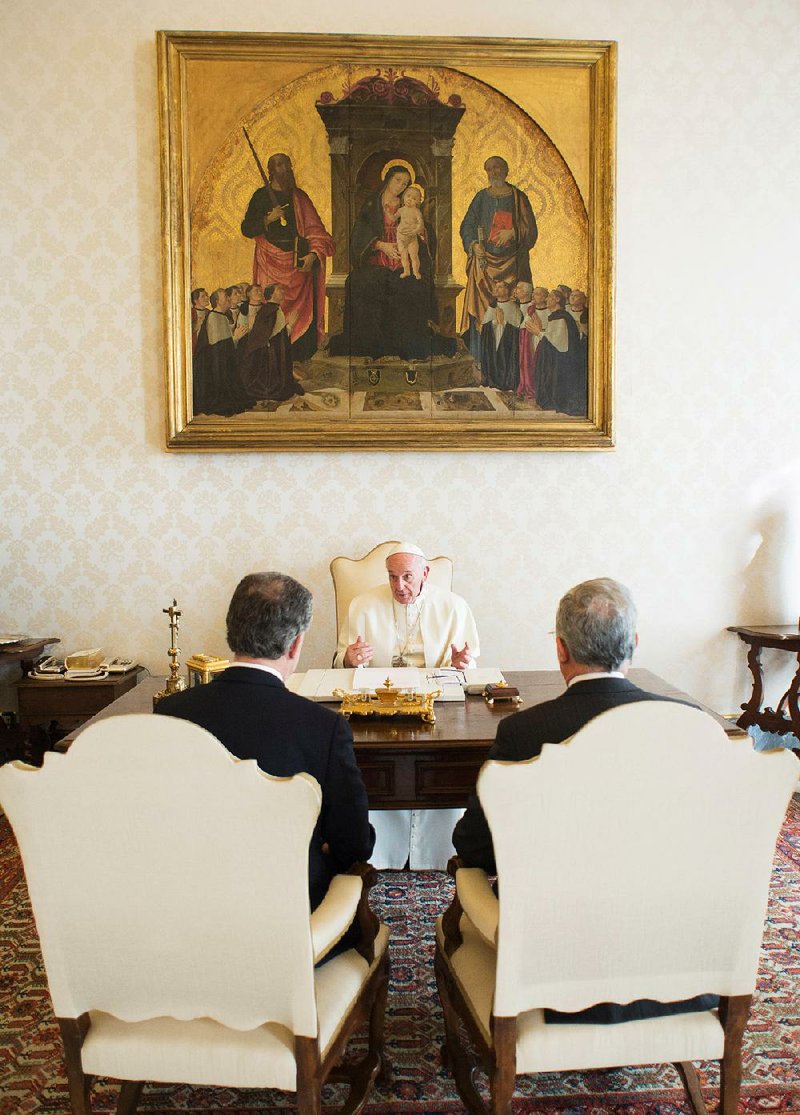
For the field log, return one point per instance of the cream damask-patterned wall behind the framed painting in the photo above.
(698, 509)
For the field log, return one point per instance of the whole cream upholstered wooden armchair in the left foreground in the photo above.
(170, 888)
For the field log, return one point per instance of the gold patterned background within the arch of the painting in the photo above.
(288, 122)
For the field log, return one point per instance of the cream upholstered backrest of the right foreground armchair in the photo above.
(634, 861)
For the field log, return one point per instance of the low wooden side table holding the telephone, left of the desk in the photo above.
(62, 706)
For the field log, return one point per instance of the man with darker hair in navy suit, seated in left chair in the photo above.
(252, 712)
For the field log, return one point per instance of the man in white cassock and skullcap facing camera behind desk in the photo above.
(409, 623)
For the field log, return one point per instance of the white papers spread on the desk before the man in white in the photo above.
(320, 685)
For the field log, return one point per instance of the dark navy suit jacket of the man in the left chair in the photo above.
(256, 718)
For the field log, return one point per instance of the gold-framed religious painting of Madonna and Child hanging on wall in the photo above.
(387, 244)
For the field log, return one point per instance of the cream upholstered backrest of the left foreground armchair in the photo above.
(168, 841)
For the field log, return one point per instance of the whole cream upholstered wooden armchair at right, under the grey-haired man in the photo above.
(634, 864)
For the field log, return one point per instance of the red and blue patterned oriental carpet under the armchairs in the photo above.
(33, 1079)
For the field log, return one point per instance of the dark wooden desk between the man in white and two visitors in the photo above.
(409, 763)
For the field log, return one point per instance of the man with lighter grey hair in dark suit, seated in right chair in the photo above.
(595, 643)
